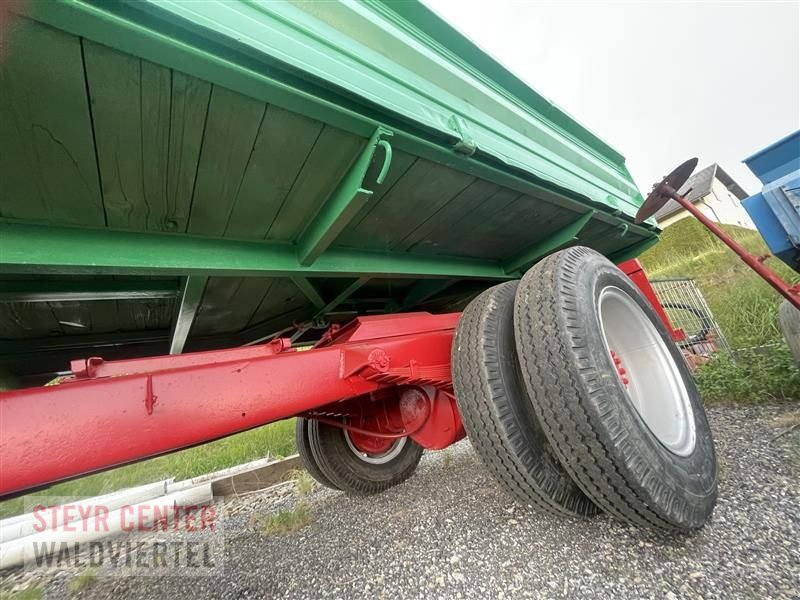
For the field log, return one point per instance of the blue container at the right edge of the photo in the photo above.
(776, 210)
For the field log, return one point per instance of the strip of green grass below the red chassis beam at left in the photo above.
(275, 440)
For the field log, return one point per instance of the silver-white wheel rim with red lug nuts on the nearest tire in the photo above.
(649, 374)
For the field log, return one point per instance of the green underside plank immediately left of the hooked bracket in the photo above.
(329, 160)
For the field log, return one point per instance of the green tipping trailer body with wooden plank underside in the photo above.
(180, 175)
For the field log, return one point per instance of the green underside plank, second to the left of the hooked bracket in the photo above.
(283, 143)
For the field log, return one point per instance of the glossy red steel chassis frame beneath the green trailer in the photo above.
(386, 375)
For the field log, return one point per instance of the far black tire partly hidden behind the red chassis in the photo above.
(347, 472)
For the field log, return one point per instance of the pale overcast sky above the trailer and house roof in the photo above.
(660, 81)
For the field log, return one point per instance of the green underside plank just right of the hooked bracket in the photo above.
(419, 193)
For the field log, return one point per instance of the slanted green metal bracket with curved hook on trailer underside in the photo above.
(345, 202)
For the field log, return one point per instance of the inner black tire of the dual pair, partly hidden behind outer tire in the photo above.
(497, 412)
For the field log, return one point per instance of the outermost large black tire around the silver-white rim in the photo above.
(584, 409)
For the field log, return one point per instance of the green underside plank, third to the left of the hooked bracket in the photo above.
(231, 127)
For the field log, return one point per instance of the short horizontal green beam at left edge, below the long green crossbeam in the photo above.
(84, 291)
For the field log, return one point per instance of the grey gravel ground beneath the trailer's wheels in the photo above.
(451, 532)
